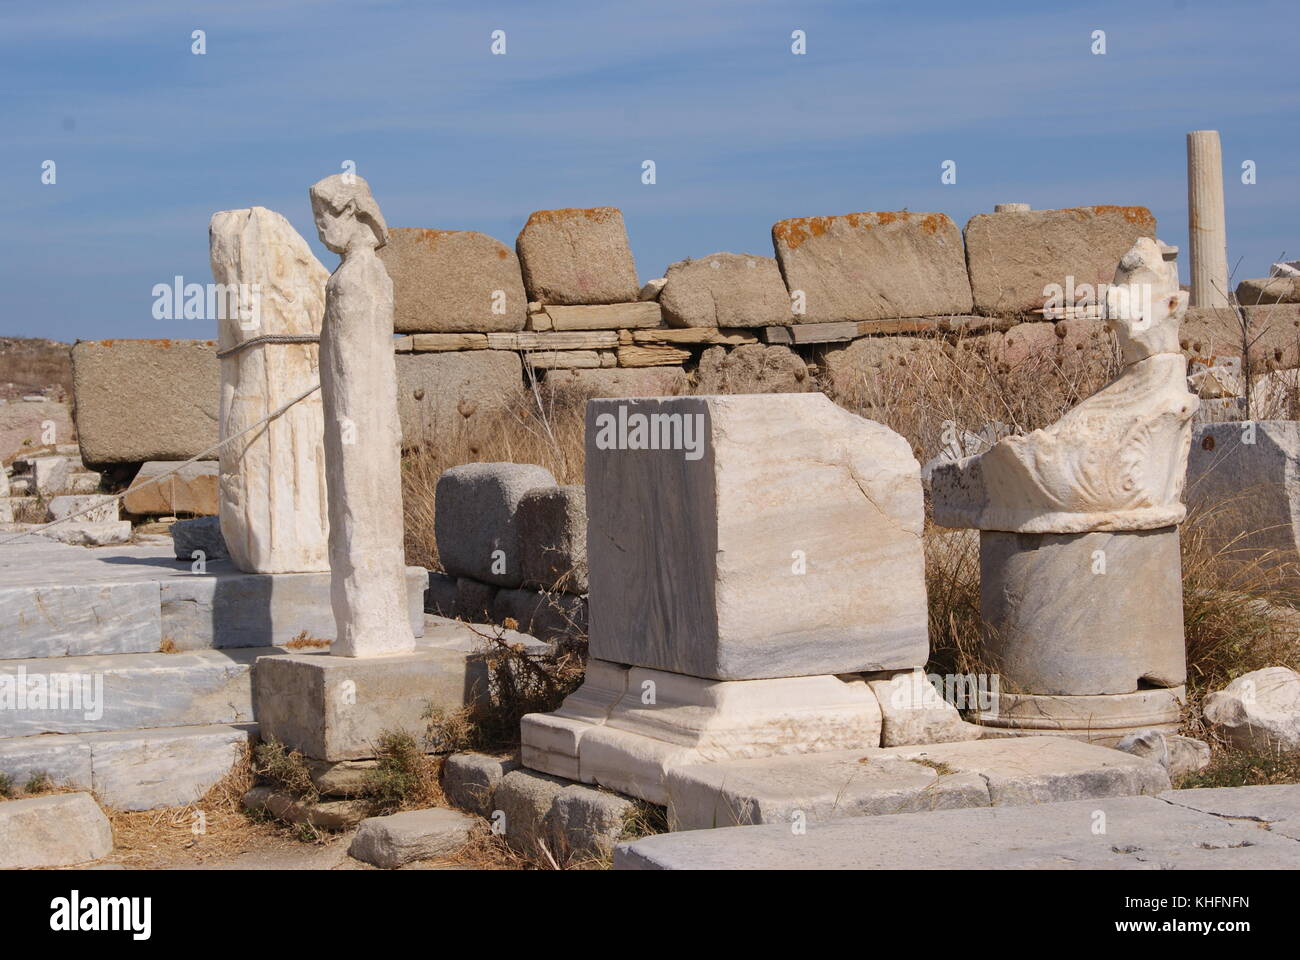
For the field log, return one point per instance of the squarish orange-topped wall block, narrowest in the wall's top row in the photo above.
(578, 257)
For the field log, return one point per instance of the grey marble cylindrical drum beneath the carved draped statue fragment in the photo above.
(1081, 615)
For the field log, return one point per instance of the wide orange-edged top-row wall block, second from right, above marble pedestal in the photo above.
(873, 266)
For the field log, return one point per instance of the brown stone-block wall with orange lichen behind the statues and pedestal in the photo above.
(479, 323)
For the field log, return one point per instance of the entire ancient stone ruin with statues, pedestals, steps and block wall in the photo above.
(730, 622)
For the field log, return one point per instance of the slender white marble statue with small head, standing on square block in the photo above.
(362, 434)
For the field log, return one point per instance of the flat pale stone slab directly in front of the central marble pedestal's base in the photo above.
(812, 788)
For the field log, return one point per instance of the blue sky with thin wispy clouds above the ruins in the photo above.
(151, 140)
